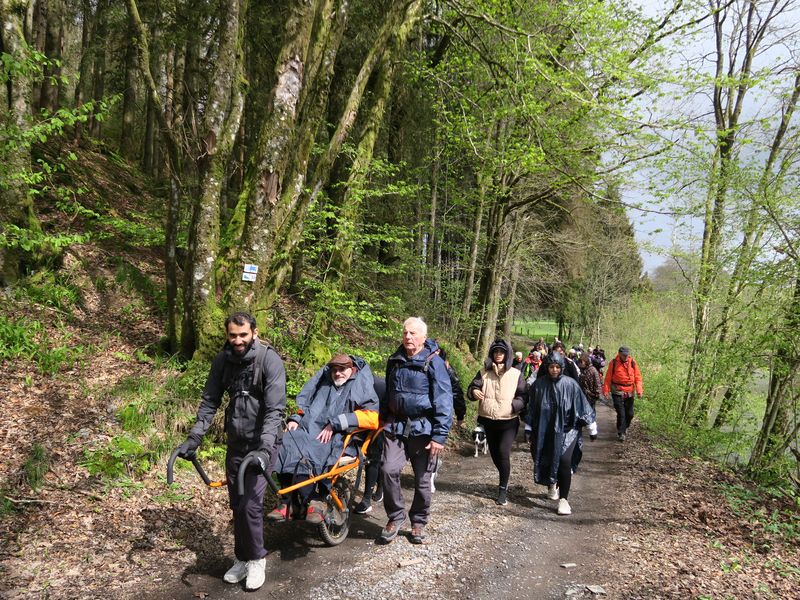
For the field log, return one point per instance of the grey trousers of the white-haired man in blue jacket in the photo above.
(396, 452)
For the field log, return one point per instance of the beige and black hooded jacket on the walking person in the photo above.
(503, 386)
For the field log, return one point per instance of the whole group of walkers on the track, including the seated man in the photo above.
(552, 391)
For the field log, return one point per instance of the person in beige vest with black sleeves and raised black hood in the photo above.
(500, 391)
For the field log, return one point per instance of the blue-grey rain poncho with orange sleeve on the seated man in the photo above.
(321, 403)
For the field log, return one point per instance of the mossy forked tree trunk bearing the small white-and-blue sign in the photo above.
(276, 196)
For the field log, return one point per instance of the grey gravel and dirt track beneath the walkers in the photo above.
(475, 548)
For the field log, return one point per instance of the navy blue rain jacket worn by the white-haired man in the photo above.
(419, 397)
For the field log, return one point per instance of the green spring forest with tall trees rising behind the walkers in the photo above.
(334, 166)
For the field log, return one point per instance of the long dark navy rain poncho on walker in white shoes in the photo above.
(557, 410)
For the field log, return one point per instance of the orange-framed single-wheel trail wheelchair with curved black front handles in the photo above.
(335, 524)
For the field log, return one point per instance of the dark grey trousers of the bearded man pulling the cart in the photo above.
(248, 510)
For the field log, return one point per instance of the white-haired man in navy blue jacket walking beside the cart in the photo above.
(417, 413)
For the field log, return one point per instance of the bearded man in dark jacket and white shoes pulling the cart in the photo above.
(253, 375)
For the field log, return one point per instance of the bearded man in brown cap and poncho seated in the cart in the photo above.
(338, 397)
